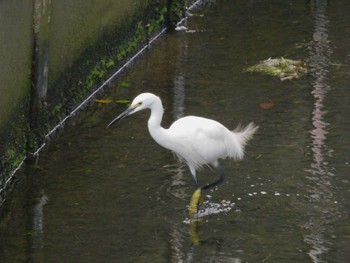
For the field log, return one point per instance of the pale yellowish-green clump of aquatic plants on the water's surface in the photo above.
(284, 69)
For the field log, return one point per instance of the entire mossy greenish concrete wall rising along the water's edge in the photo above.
(53, 54)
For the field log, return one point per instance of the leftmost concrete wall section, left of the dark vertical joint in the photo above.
(16, 49)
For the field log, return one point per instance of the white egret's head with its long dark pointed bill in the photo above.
(141, 102)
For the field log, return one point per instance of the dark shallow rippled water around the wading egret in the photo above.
(114, 195)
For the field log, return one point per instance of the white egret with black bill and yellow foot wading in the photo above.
(199, 141)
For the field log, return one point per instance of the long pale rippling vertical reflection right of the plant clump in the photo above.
(319, 187)
